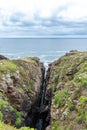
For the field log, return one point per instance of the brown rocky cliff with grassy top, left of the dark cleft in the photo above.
(20, 82)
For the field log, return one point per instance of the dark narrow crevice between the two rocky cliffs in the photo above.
(39, 115)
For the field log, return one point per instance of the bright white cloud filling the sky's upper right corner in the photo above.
(75, 11)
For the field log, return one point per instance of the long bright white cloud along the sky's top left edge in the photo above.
(29, 7)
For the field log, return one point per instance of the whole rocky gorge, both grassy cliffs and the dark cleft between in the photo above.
(52, 100)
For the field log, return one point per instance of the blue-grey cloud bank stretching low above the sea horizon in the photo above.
(43, 26)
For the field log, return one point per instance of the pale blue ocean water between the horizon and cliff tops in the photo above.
(47, 49)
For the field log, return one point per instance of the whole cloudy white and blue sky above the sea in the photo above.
(55, 18)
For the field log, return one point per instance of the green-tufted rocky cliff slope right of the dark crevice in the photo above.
(67, 84)
